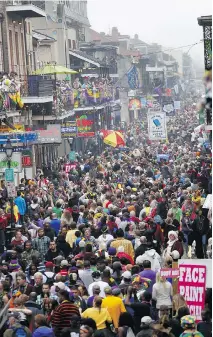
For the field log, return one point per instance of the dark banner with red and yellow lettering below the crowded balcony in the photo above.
(85, 124)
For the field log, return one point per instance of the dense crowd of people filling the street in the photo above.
(85, 255)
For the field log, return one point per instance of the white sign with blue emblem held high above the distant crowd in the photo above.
(157, 125)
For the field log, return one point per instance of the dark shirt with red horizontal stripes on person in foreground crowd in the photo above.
(62, 315)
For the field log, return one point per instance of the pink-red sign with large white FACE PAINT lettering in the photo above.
(192, 285)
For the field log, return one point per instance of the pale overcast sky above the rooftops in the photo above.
(171, 23)
